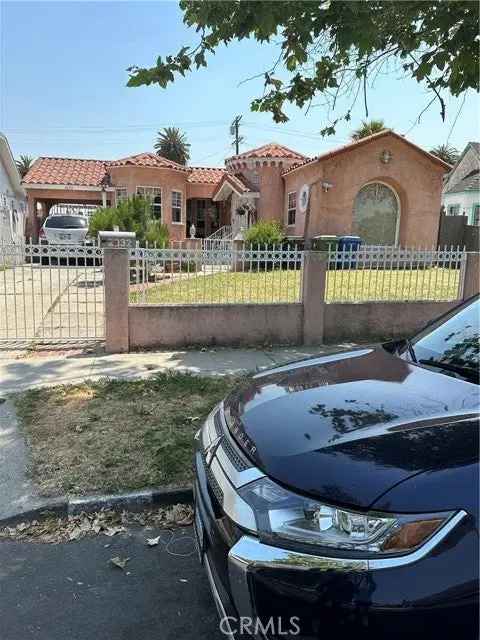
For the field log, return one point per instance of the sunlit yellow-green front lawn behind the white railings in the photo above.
(285, 286)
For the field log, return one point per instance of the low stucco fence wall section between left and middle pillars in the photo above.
(183, 325)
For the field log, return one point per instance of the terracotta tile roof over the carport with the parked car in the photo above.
(70, 171)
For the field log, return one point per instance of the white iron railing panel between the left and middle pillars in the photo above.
(221, 276)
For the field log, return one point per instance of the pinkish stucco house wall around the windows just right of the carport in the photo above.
(168, 179)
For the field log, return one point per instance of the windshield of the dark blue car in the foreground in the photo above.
(453, 341)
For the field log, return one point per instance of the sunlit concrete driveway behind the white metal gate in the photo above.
(60, 302)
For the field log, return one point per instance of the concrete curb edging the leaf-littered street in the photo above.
(134, 501)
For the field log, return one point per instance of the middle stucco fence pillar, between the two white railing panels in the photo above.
(313, 293)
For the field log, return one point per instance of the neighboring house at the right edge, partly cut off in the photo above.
(461, 191)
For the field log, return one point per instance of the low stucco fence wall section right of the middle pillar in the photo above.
(378, 320)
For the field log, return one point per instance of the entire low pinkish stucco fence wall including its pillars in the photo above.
(138, 326)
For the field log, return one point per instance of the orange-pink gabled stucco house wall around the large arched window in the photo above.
(415, 178)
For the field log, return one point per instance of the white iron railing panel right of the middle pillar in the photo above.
(395, 274)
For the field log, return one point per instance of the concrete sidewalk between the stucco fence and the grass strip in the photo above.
(23, 372)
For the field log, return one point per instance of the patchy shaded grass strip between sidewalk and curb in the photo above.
(112, 436)
